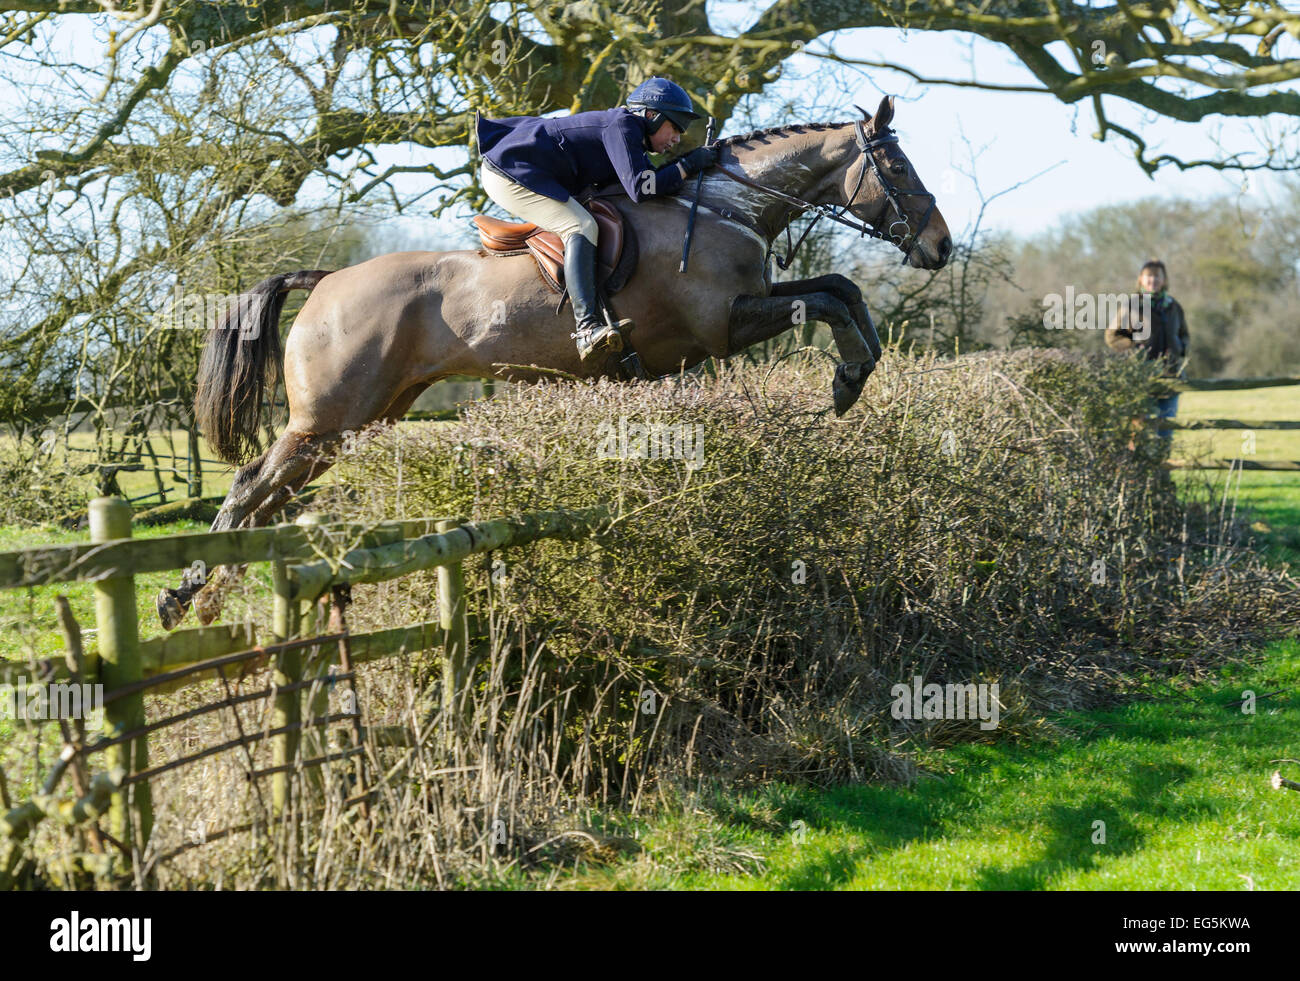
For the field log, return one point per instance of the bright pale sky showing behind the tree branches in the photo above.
(1020, 137)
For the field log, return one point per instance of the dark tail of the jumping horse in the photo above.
(241, 362)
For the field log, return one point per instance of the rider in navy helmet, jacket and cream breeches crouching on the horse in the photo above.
(532, 167)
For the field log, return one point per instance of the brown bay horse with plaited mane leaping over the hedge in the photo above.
(372, 337)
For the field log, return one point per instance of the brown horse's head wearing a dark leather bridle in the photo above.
(882, 190)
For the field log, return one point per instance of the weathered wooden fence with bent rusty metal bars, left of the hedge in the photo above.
(306, 663)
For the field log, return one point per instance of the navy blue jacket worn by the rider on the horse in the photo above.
(561, 157)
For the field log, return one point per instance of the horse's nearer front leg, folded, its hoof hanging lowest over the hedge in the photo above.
(757, 319)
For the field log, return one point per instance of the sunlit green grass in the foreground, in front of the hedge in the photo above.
(1181, 783)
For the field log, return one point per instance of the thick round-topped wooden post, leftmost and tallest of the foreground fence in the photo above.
(119, 643)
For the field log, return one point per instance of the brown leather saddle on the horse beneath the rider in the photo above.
(616, 251)
